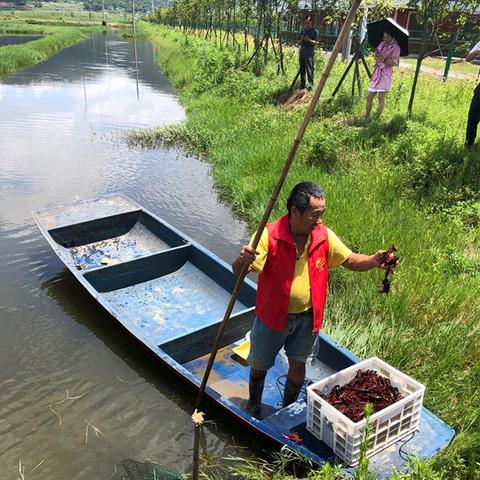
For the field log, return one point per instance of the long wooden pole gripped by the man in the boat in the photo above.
(273, 198)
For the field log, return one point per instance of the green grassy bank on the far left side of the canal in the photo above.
(54, 39)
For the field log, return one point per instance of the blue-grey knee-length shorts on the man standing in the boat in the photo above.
(297, 338)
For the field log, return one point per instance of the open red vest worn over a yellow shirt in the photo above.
(275, 281)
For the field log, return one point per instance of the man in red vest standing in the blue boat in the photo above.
(293, 257)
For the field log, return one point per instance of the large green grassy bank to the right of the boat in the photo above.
(398, 180)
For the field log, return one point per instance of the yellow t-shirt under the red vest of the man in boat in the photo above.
(300, 299)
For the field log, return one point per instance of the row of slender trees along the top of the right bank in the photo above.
(234, 22)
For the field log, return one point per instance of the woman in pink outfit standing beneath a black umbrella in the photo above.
(387, 56)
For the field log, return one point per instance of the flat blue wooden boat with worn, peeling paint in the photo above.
(170, 293)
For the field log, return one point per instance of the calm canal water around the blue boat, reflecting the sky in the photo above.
(75, 394)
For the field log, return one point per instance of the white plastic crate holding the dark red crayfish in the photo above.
(343, 435)
